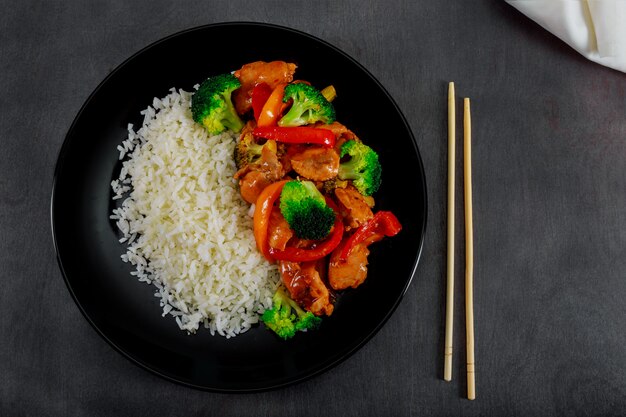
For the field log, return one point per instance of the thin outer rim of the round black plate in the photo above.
(61, 156)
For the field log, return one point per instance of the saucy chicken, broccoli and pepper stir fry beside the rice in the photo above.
(310, 182)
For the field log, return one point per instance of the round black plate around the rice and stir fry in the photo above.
(125, 312)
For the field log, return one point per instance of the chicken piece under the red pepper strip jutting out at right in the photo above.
(350, 273)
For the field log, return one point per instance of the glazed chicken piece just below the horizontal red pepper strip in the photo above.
(317, 164)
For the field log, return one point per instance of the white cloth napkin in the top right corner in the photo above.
(595, 28)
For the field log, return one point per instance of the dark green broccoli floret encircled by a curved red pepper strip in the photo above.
(305, 209)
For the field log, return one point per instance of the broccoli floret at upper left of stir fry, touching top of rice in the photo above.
(212, 107)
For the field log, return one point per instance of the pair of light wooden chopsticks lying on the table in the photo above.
(469, 242)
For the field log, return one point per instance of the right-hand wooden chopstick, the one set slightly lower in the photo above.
(469, 250)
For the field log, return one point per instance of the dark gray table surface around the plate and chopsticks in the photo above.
(549, 211)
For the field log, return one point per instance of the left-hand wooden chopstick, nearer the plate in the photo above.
(447, 366)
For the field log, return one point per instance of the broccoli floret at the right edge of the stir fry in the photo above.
(362, 168)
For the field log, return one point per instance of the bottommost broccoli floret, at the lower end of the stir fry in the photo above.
(286, 317)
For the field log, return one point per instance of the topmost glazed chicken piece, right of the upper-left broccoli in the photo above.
(271, 73)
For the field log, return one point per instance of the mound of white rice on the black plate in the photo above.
(188, 231)
